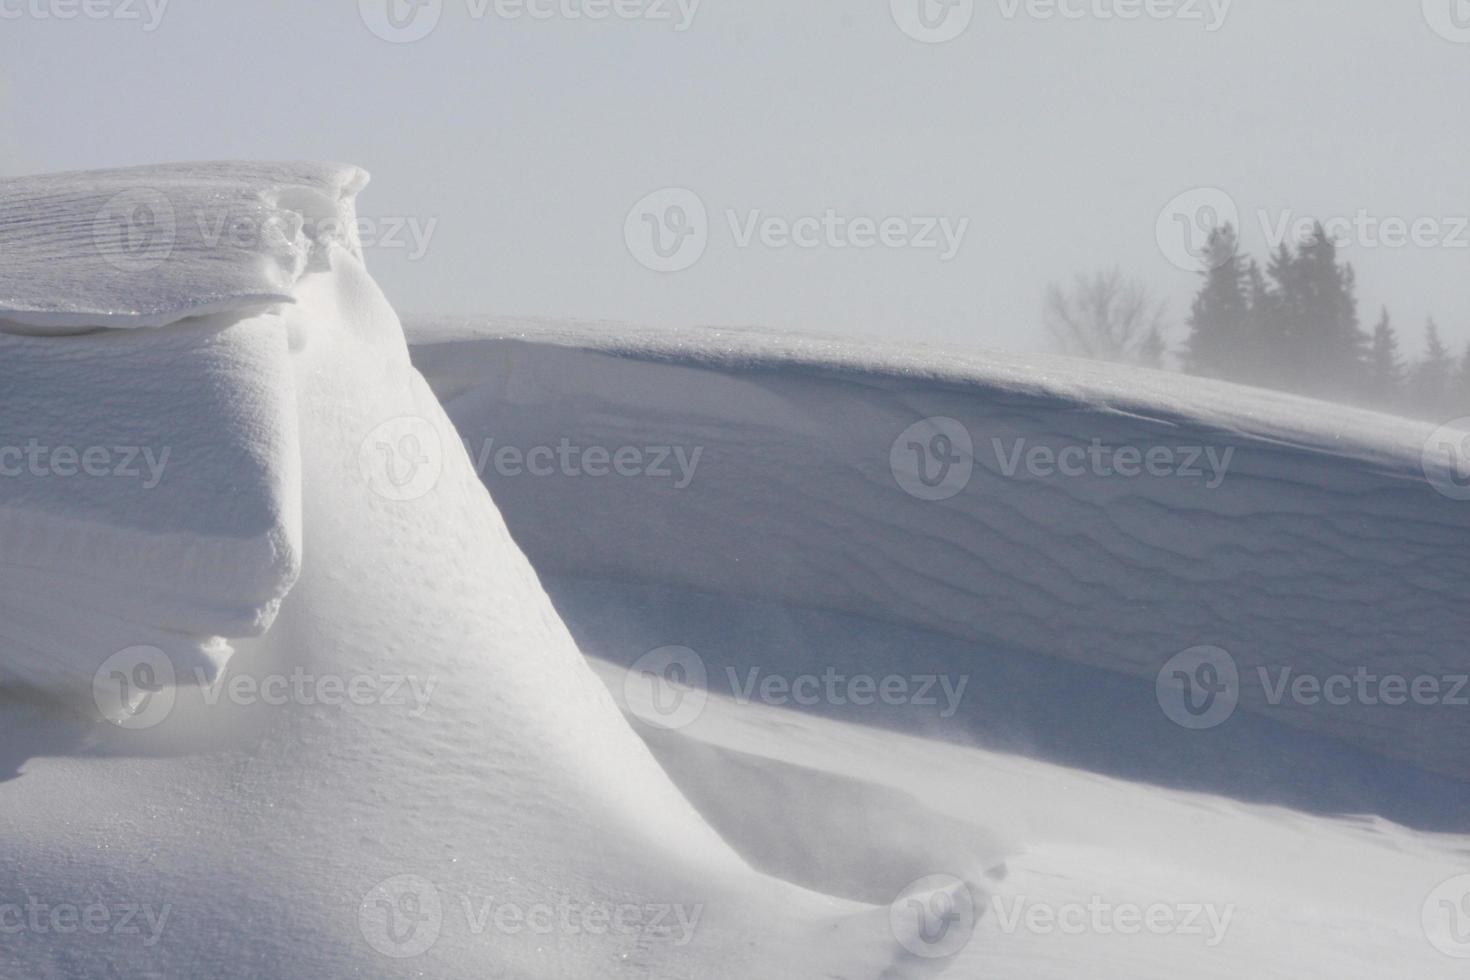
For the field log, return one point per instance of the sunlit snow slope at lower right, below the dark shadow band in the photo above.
(1238, 891)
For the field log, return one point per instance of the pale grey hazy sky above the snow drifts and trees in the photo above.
(515, 146)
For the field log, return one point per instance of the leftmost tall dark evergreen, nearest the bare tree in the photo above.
(1221, 314)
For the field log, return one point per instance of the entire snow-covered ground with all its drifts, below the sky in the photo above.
(546, 650)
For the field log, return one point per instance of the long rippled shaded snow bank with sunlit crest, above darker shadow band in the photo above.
(1293, 534)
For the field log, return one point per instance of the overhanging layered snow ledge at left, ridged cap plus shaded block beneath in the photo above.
(149, 480)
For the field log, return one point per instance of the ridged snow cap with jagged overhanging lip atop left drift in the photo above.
(152, 246)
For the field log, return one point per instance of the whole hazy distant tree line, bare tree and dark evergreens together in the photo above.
(1293, 327)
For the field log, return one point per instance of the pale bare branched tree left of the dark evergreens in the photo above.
(1106, 317)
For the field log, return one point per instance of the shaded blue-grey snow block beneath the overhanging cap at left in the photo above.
(151, 491)
